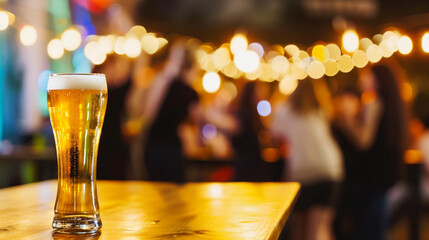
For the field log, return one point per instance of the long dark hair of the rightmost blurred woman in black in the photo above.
(394, 108)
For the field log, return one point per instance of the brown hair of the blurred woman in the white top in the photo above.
(304, 99)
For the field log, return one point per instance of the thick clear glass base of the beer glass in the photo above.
(76, 224)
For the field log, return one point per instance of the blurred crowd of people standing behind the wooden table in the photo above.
(345, 147)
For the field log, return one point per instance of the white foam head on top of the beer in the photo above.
(77, 81)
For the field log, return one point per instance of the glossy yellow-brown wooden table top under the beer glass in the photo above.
(147, 210)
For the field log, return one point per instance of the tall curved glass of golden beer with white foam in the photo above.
(77, 104)
